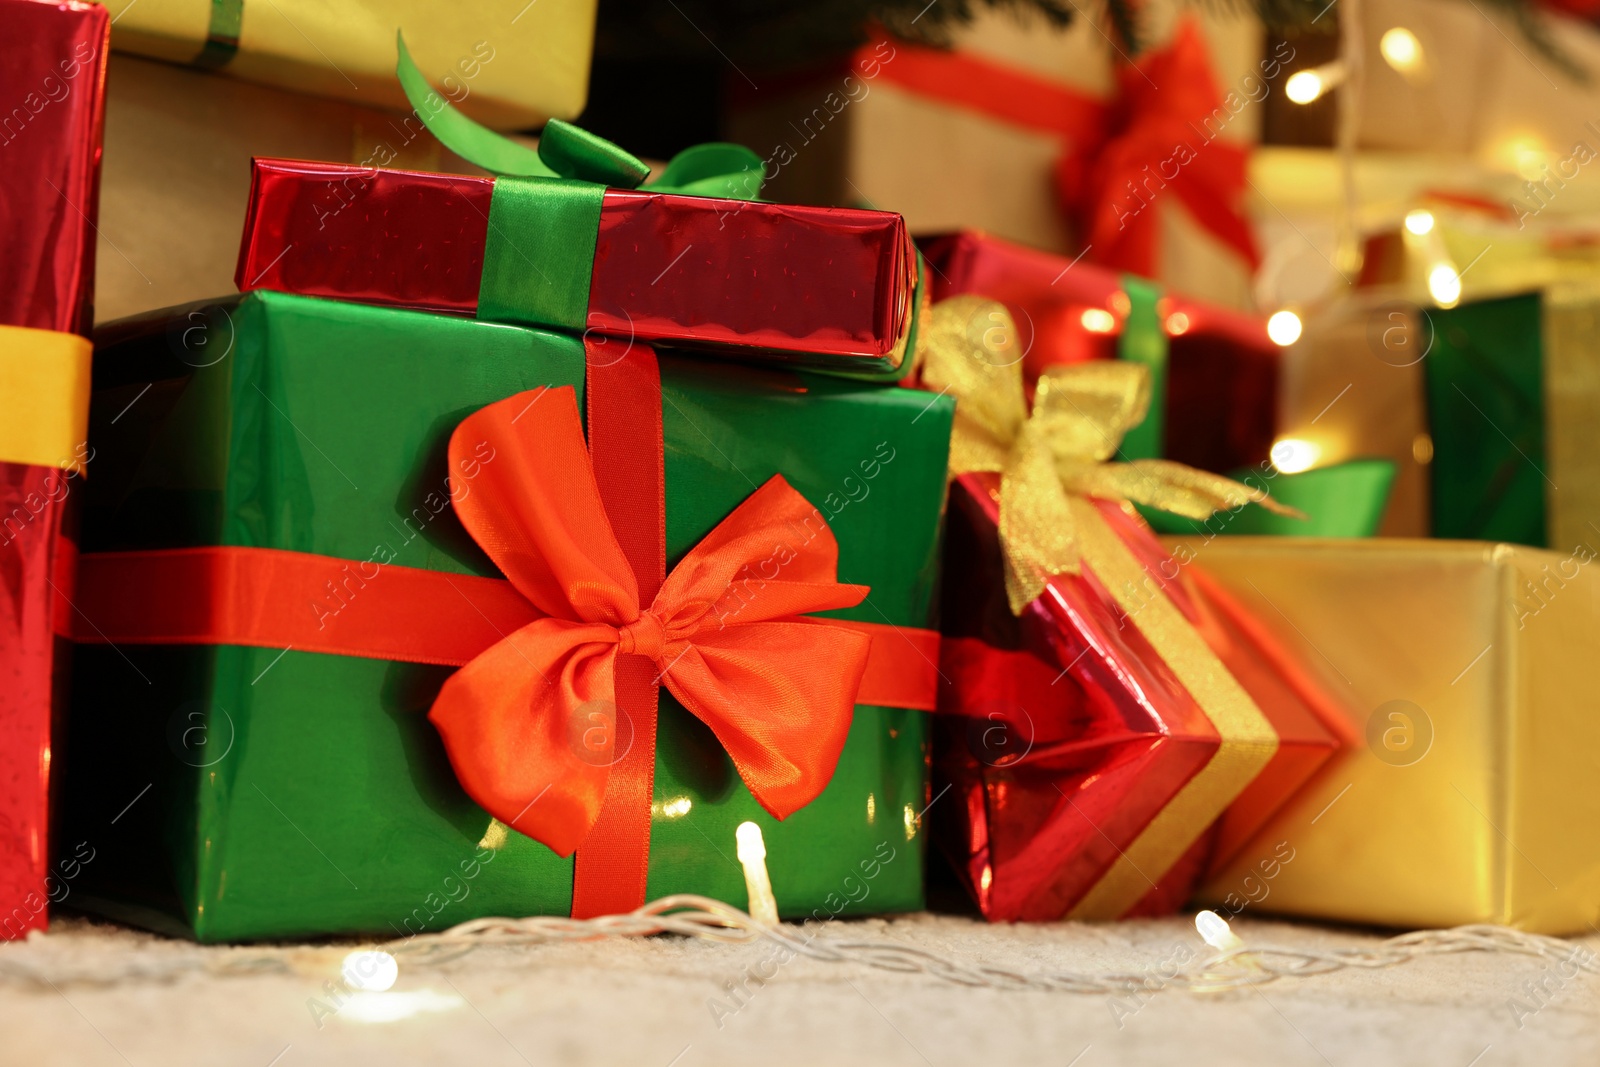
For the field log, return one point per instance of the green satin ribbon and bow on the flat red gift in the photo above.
(545, 215)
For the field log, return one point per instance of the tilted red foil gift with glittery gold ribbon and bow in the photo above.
(1114, 727)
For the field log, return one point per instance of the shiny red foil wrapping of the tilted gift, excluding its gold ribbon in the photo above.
(1068, 735)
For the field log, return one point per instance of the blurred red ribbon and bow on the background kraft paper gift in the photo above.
(1118, 158)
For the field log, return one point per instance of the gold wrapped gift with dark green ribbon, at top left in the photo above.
(508, 63)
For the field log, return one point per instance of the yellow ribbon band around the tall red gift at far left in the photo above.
(46, 391)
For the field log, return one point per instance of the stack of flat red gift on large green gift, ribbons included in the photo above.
(358, 369)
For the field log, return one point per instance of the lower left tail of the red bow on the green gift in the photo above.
(530, 729)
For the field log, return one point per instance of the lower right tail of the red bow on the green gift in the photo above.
(780, 697)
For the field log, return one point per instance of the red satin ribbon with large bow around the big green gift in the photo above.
(545, 652)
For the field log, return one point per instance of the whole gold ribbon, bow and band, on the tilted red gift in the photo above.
(1054, 462)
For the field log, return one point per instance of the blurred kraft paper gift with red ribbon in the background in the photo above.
(993, 121)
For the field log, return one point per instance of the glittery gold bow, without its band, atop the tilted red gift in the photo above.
(1057, 452)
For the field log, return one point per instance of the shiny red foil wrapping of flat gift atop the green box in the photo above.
(690, 271)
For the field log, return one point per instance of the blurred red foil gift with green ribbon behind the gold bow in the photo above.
(1222, 369)
